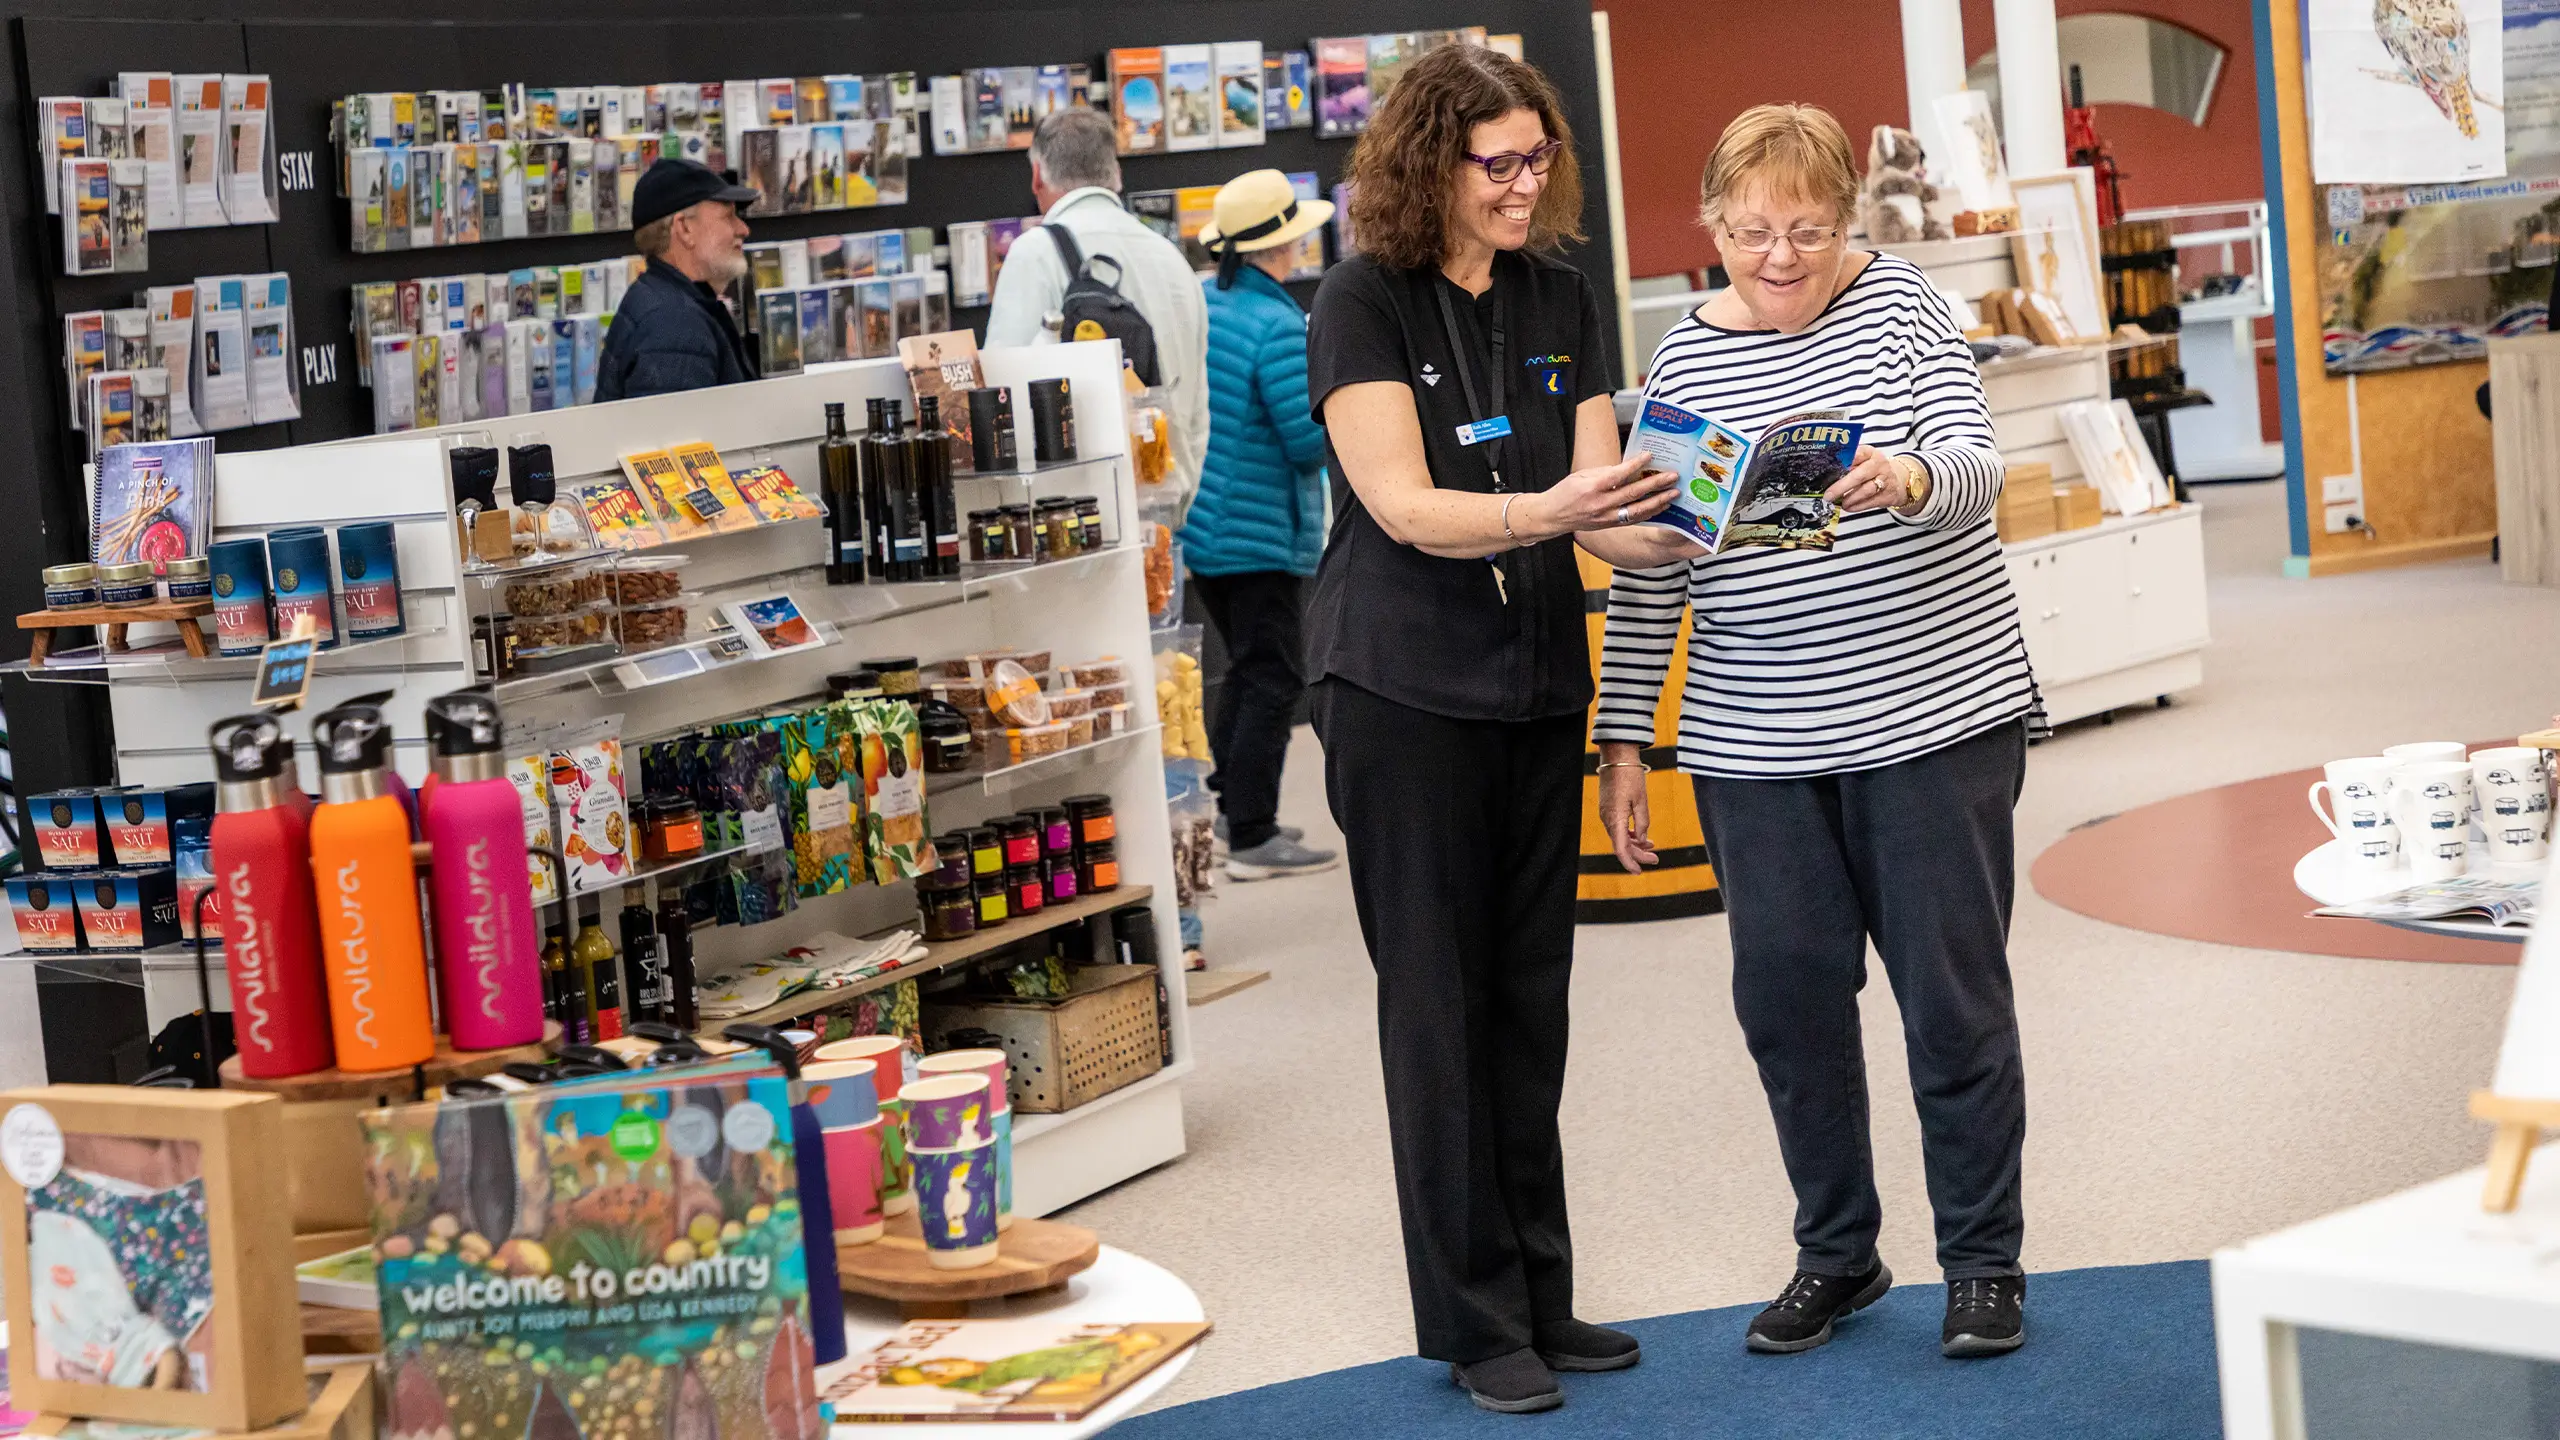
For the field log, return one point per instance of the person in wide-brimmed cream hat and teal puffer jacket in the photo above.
(1258, 524)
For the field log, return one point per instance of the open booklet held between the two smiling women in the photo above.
(1742, 493)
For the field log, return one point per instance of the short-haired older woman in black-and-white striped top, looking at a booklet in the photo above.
(1857, 721)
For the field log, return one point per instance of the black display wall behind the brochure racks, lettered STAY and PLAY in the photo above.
(337, 47)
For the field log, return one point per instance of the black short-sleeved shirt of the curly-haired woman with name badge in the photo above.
(1427, 632)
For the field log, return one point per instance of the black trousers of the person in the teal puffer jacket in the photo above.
(1258, 616)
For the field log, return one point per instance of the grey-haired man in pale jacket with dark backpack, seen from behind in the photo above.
(1112, 278)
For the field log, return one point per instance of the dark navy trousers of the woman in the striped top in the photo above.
(1916, 857)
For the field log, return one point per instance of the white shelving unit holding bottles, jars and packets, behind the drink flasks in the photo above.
(1082, 609)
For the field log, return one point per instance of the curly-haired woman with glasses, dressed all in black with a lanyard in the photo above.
(1466, 398)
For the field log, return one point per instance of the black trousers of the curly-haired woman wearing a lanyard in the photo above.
(1463, 842)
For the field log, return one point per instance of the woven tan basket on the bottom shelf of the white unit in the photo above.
(1069, 1052)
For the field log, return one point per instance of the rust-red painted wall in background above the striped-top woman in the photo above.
(1670, 111)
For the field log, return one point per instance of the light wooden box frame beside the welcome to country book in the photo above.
(147, 1257)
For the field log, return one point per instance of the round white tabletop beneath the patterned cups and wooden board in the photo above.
(1117, 1288)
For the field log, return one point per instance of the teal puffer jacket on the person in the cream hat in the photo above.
(1261, 503)
